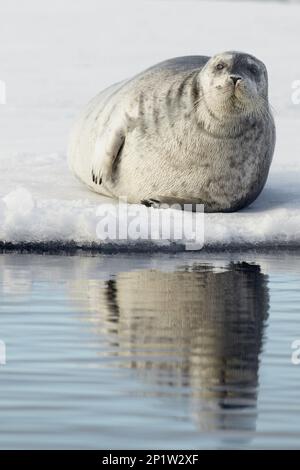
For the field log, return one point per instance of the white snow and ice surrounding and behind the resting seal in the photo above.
(55, 56)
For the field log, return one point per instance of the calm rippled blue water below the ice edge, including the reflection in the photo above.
(185, 351)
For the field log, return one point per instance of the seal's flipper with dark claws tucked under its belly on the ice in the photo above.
(172, 202)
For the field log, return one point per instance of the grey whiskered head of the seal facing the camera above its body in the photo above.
(234, 83)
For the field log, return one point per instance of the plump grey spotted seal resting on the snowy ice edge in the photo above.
(190, 129)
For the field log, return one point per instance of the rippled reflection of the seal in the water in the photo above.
(198, 329)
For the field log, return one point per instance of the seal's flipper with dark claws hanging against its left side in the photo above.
(108, 147)
